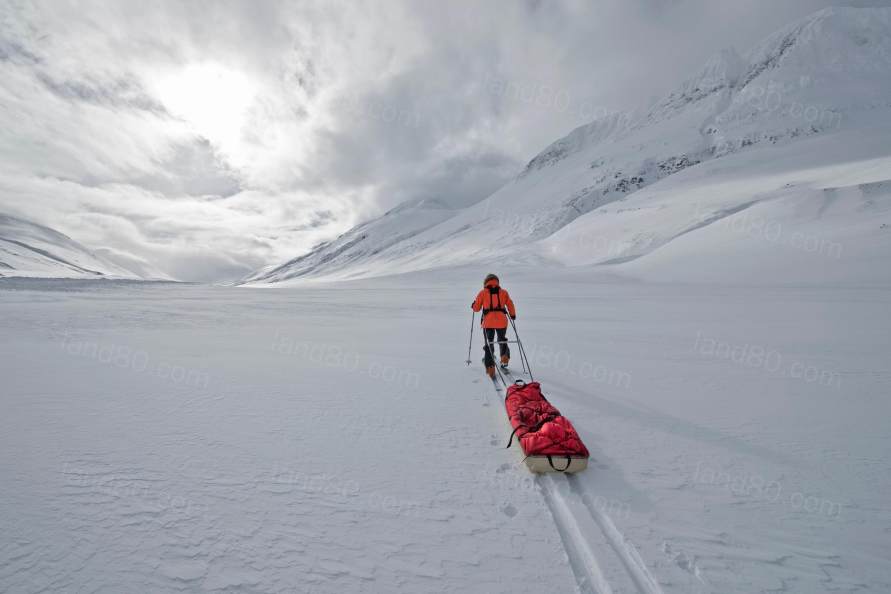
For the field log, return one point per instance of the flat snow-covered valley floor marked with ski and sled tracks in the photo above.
(328, 438)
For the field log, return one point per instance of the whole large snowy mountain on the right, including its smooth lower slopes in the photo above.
(793, 131)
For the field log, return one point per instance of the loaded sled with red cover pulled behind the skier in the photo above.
(548, 439)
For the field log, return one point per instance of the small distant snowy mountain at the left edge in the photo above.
(31, 250)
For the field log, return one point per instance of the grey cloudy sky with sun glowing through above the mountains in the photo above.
(207, 139)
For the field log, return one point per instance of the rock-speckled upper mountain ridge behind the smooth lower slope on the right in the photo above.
(781, 91)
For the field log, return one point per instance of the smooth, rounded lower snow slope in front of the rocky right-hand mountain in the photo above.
(816, 212)
